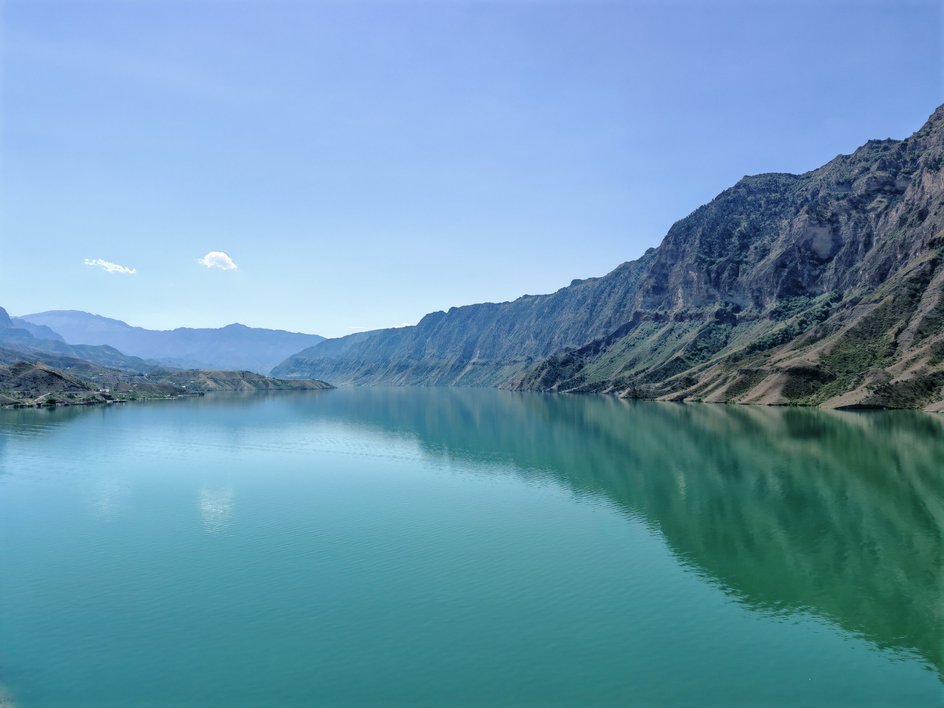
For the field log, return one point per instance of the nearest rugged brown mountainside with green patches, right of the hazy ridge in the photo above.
(824, 288)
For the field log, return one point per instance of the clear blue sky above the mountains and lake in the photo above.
(362, 164)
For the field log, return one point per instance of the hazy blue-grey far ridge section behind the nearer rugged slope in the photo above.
(477, 344)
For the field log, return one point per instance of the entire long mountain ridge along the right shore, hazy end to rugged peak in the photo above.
(825, 288)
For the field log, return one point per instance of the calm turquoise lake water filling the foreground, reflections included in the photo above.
(469, 547)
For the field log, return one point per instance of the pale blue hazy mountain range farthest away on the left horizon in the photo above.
(234, 347)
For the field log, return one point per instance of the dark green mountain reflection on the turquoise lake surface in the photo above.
(789, 510)
